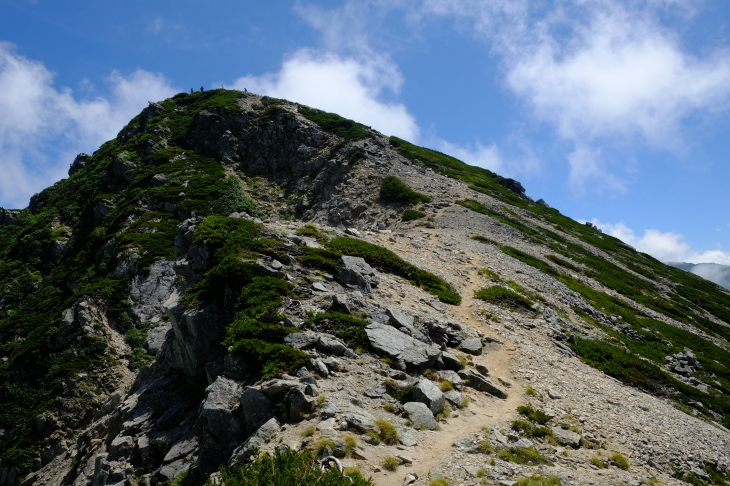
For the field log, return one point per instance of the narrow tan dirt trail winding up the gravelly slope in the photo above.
(483, 410)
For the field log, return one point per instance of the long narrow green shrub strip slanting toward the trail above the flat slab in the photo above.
(387, 261)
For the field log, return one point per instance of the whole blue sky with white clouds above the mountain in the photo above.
(616, 112)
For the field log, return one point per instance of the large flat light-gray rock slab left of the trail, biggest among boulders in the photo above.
(400, 346)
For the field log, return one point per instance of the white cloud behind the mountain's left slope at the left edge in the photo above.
(42, 128)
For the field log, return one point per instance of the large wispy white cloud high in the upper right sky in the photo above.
(602, 72)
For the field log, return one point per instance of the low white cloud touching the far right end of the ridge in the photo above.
(667, 247)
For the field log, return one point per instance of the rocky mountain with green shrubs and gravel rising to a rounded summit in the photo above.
(153, 328)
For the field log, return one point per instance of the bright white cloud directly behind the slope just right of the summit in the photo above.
(345, 85)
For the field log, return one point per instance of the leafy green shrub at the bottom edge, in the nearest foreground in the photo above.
(287, 467)
